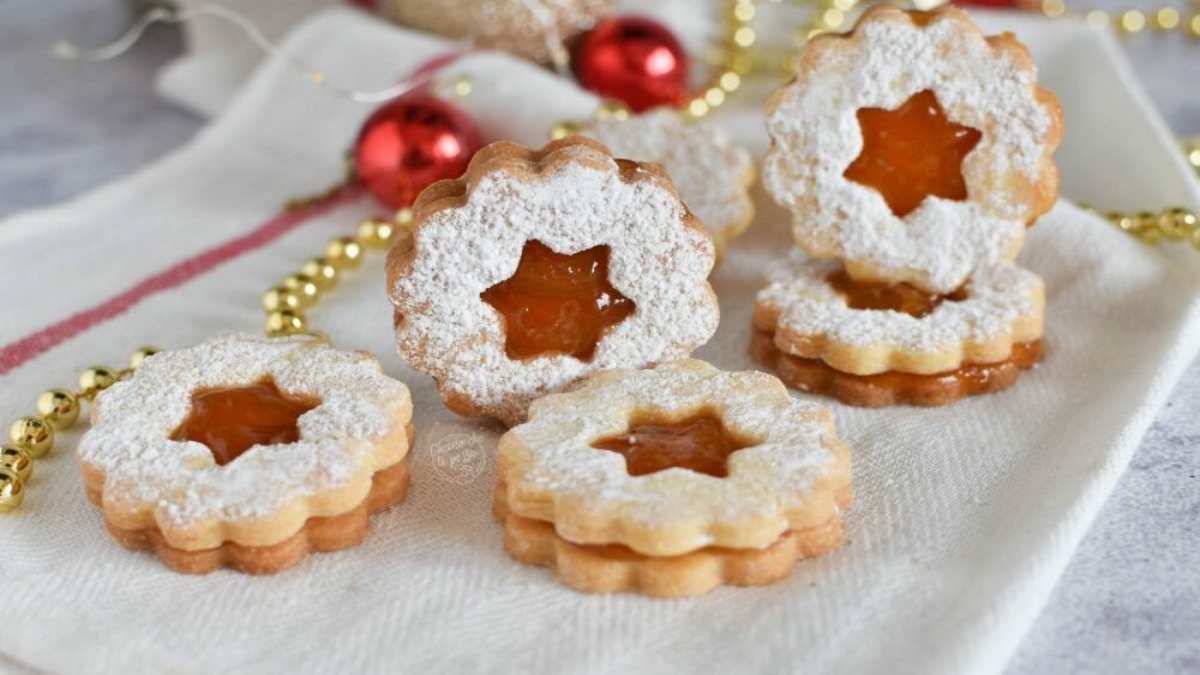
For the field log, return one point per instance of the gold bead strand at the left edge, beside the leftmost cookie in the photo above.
(32, 438)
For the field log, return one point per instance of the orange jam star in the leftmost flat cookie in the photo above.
(232, 420)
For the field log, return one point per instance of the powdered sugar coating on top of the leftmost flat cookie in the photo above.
(133, 423)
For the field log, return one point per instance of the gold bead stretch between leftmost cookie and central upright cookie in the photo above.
(286, 303)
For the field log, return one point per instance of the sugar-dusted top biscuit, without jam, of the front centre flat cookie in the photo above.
(551, 459)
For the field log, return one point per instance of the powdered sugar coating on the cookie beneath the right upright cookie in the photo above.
(807, 308)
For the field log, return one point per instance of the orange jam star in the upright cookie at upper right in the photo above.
(911, 153)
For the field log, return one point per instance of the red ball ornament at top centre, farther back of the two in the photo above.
(634, 61)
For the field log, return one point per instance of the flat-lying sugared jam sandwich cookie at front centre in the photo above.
(673, 481)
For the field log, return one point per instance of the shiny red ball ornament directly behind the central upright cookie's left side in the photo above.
(410, 144)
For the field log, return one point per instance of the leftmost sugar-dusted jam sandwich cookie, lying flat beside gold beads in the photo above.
(248, 452)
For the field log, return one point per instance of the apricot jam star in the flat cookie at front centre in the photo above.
(700, 444)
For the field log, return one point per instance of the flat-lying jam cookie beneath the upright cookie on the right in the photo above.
(879, 345)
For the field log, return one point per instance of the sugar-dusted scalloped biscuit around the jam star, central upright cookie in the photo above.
(575, 198)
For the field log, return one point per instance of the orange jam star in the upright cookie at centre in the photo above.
(557, 304)
